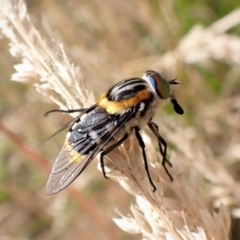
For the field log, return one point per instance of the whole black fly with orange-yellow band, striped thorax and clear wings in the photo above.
(123, 109)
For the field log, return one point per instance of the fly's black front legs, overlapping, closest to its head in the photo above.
(153, 126)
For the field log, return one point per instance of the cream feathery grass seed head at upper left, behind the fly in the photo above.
(43, 64)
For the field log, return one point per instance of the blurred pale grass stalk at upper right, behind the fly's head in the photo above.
(199, 46)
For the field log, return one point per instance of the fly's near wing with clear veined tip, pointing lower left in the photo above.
(69, 163)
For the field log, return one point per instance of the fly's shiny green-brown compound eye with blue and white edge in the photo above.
(158, 83)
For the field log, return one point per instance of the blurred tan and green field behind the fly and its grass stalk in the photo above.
(110, 41)
